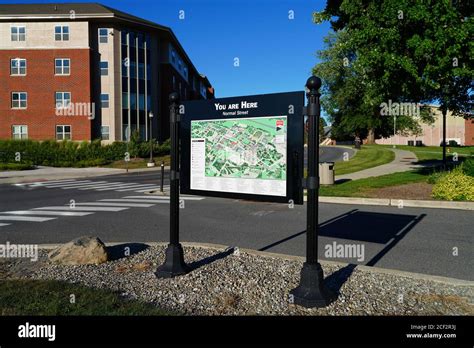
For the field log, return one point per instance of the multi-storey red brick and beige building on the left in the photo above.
(87, 71)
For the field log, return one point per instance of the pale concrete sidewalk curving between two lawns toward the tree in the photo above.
(404, 161)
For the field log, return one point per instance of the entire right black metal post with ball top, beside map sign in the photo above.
(311, 291)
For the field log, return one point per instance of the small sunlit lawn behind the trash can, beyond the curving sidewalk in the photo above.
(366, 157)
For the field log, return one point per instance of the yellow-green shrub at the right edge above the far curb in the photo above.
(454, 186)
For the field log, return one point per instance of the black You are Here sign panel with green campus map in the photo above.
(244, 147)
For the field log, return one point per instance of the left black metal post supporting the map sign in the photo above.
(174, 264)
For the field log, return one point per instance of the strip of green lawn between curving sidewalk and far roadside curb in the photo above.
(359, 188)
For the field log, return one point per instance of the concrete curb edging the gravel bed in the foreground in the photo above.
(377, 270)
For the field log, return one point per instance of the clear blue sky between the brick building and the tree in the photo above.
(276, 54)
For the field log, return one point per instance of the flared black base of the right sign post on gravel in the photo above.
(312, 292)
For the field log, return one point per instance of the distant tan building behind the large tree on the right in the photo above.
(457, 129)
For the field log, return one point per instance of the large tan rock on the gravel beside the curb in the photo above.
(80, 251)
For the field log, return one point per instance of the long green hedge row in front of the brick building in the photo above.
(73, 154)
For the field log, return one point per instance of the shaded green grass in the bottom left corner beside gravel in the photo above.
(48, 297)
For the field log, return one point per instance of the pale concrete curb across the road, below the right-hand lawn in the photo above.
(397, 202)
